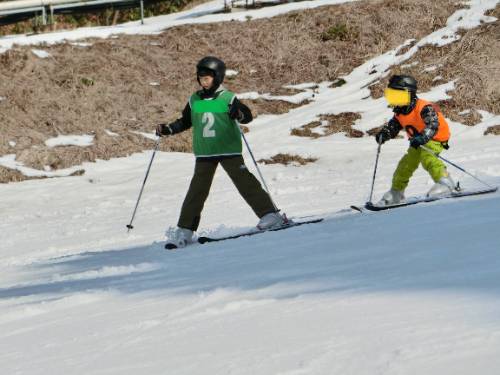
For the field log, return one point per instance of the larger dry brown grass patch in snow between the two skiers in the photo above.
(330, 124)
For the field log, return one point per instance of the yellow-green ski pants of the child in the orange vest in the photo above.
(412, 159)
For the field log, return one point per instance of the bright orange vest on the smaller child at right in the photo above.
(413, 121)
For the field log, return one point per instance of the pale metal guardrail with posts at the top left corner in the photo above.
(18, 9)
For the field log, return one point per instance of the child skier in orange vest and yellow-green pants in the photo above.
(424, 125)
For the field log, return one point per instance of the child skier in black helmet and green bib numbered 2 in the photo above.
(214, 113)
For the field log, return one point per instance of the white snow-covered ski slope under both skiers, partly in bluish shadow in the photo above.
(408, 291)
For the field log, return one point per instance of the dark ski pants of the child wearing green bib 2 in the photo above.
(246, 183)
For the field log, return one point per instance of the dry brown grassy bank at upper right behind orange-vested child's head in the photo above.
(474, 64)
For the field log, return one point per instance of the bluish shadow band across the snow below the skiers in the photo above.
(446, 246)
